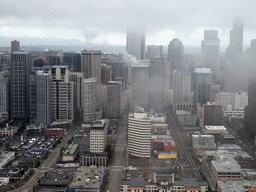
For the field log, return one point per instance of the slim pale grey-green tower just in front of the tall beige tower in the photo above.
(89, 106)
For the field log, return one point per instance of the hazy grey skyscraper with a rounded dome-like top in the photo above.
(175, 57)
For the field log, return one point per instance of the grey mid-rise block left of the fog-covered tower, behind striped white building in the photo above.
(114, 99)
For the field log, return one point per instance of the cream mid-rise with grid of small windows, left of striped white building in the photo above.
(98, 134)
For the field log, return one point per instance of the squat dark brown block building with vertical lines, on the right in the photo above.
(212, 114)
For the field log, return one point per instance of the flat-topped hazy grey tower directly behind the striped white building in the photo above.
(139, 85)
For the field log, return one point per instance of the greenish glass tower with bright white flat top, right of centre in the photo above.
(202, 87)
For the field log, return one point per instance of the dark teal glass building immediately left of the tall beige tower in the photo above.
(73, 61)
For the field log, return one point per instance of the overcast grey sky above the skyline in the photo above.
(106, 21)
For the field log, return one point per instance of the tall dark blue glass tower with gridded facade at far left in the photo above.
(19, 90)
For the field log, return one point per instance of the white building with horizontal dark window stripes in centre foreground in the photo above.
(139, 133)
